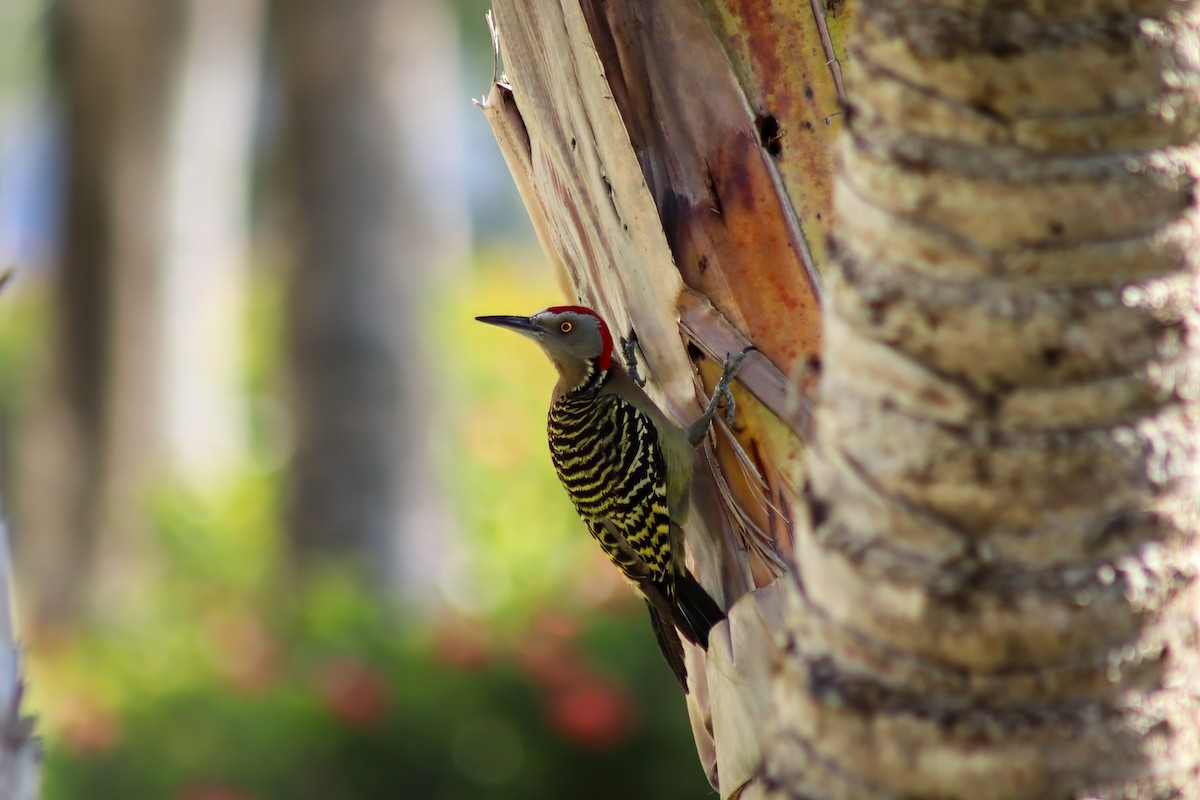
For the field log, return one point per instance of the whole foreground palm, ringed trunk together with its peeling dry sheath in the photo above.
(993, 587)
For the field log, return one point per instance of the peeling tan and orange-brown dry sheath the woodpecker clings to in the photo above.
(658, 190)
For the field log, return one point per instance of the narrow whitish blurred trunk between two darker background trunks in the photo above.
(209, 231)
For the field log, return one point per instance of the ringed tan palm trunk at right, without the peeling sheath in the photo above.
(999, 592)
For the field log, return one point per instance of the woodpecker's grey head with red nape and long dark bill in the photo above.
(574, 338)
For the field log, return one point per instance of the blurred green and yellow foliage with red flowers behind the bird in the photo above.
(536, 677)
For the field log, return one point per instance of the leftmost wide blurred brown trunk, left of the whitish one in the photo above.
(95, 436)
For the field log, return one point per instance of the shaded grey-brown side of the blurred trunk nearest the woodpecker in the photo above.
(349, 314)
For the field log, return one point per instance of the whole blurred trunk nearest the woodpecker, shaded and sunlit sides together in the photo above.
(365, 243)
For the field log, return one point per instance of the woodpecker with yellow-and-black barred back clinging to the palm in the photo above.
(626, 467)
